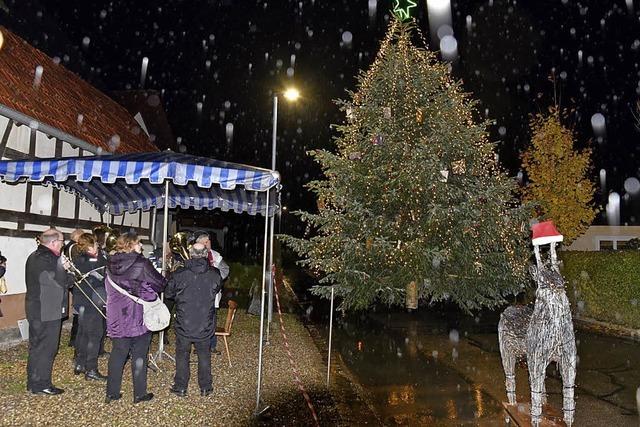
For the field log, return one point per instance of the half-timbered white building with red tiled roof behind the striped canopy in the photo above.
(46, 111)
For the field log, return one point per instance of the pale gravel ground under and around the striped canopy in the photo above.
(233, 401)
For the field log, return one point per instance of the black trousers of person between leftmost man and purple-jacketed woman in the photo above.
(90, 332)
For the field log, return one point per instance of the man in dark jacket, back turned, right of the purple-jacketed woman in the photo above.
(194, 288)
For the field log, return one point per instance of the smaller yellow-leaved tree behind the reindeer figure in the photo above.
(558, 175)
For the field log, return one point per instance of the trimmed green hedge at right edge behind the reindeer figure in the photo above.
(604, 286)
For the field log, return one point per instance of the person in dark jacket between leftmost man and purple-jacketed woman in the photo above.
(89, 298)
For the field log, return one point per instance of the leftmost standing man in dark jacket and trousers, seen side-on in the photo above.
(46, 304)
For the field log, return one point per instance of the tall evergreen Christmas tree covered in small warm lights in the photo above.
(413, 199)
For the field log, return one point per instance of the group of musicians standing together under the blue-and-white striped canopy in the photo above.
(100, 280)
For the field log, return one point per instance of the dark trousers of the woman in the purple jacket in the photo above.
(138, 347)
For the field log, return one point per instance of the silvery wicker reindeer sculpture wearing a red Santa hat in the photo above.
(543, 334)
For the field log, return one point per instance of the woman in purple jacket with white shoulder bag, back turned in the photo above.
(131, 271)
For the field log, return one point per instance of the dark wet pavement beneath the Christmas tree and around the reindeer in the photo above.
(444, 370)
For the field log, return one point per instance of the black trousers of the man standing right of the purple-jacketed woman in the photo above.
(183, 352)
